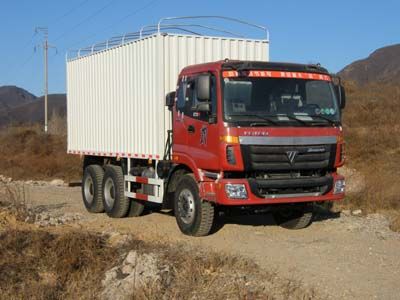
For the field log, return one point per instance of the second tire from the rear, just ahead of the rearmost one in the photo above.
(115, 203)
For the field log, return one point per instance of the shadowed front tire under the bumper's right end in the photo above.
(296, 216)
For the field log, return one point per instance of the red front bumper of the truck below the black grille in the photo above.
(215, 192)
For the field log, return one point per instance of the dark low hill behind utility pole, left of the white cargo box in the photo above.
(33, 112)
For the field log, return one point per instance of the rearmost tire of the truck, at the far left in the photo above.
(92, 182)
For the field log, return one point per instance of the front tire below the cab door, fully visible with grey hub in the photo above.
(194, 216)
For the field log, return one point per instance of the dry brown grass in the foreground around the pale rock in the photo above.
(65, 263)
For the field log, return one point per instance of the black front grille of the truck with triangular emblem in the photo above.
(274, 171)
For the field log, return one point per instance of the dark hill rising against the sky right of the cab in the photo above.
(383, 65)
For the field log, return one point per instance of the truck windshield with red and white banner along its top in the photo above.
(257, 101)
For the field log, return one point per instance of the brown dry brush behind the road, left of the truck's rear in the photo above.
(28, 153)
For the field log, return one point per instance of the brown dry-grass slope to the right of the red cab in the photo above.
(372, 130)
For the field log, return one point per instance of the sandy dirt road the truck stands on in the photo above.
(340, 256)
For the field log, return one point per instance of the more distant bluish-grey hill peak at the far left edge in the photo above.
(12, 96)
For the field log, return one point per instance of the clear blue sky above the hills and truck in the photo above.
(333, 33)
